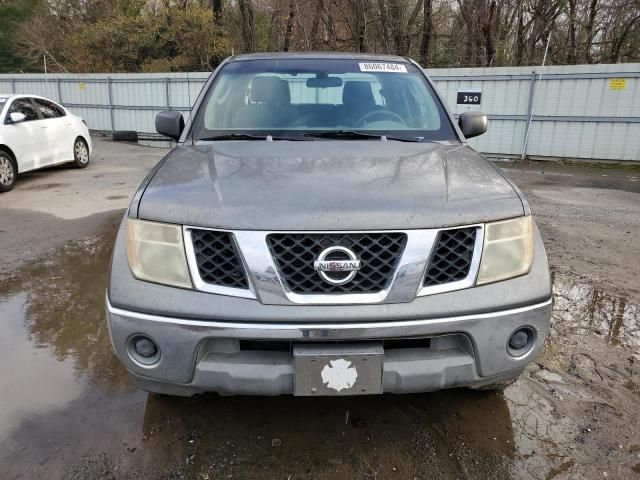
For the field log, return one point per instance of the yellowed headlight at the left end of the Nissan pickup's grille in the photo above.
(156, 253)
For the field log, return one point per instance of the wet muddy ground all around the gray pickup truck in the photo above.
(68, 410)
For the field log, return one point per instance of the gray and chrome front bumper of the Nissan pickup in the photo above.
(197, 355)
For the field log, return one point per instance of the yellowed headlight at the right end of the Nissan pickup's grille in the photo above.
(507, 250)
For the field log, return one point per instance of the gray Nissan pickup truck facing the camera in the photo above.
(322, 227)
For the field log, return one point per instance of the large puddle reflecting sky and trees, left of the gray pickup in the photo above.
(64, 394)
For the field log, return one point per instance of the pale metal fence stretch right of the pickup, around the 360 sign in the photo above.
(579, 111)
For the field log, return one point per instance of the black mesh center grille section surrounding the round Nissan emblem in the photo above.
(294, 255)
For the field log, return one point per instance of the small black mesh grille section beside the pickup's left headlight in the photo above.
(217, 259)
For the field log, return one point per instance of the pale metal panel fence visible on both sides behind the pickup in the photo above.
(580, 111)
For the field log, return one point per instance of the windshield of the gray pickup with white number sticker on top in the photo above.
(305, 98)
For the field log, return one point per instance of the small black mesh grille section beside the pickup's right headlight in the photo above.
(451, 259)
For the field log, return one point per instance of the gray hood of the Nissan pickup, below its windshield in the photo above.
(327, 185)
